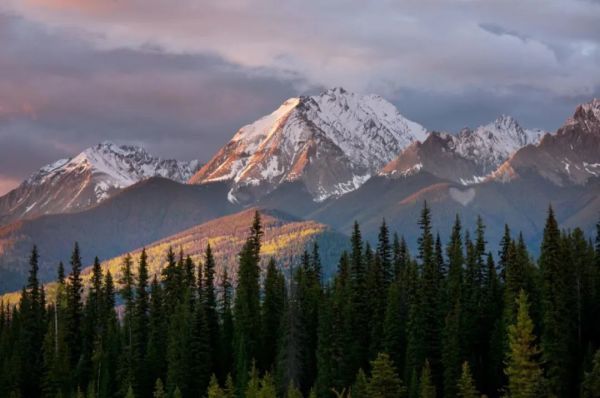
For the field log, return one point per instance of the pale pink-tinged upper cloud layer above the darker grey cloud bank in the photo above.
(378, 46)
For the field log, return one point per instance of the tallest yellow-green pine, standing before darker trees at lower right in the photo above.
(522, 365)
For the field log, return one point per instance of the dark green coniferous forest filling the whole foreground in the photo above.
(449, 320)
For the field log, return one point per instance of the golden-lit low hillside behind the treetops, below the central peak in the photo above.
(284, 239)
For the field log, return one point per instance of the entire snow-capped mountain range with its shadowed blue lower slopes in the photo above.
(328, 159)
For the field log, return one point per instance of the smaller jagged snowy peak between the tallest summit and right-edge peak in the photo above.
(466, 158)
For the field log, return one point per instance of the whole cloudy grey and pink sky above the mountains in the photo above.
(179, 77)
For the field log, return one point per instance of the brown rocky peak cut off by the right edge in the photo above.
(571, 156)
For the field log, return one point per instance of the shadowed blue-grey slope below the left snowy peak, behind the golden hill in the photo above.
(143, 213)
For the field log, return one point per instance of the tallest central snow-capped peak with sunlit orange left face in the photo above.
(332, 143)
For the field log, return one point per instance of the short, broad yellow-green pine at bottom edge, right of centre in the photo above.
(384, 381)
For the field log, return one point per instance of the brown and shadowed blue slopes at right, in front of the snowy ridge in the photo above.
(563, 170)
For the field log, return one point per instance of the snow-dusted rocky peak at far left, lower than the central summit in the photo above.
(89, 178)
